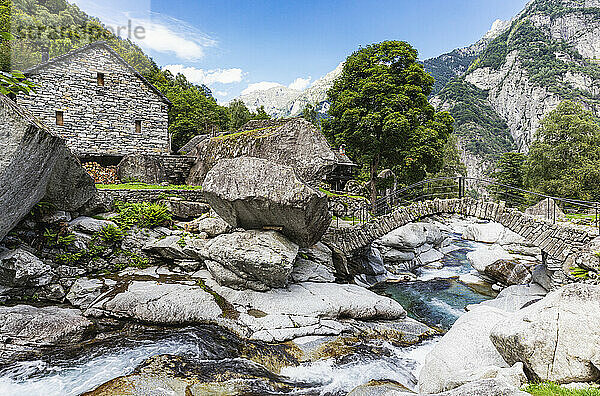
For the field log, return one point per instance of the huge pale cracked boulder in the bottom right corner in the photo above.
(557, 338)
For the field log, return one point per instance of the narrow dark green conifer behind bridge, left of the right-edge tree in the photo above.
(510, 171)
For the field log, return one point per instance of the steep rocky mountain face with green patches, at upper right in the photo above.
(520, 72)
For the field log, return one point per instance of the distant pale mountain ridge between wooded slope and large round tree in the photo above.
(282, 101)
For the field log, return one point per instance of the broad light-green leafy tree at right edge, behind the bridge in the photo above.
(564, 161)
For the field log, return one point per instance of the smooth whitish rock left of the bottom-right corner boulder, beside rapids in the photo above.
(464, 349)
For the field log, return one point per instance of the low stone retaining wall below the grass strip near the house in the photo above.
(105, 199)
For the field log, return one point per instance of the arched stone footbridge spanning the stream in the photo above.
(561, 243)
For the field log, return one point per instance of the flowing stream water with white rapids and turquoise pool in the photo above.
(437, 298)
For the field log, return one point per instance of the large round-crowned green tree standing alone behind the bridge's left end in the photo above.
(380, 111)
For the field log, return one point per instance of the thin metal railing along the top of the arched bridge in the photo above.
(460, 187)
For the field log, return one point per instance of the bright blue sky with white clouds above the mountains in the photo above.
(234, 46)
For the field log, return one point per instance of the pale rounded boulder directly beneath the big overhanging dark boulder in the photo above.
(253, 259)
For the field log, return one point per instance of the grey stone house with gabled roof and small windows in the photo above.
(99, 104)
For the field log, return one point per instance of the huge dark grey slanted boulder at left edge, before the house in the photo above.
(35, 163)
